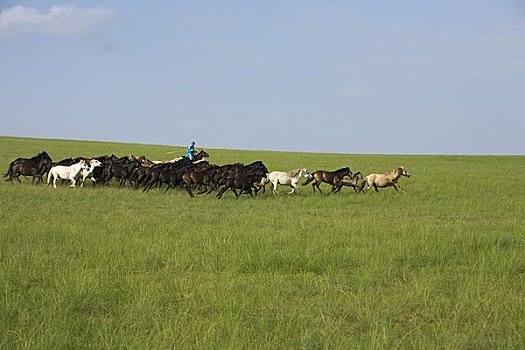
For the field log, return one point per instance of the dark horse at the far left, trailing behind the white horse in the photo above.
(36, 167)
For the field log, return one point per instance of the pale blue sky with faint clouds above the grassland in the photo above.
(390, 77)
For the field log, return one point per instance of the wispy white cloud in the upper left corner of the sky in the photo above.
(60, 21)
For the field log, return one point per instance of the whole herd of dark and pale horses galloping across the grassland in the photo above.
(190, 175)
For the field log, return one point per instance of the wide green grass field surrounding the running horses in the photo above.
(442, 267)
